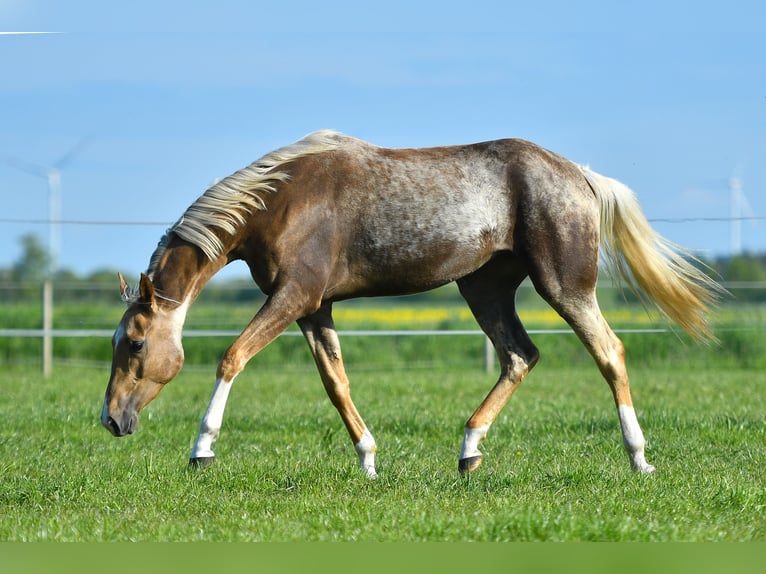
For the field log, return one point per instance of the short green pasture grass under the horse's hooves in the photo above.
(554, 466)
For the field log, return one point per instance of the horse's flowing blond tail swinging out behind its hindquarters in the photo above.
(657, 270)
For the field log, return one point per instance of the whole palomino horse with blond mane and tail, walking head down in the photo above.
(331, 217)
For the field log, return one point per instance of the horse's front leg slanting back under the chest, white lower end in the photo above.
(322, 338)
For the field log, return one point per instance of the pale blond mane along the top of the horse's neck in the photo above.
(227, 203)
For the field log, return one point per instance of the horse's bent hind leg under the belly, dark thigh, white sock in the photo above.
(490, 293)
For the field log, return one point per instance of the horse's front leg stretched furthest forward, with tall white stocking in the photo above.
(273, 318)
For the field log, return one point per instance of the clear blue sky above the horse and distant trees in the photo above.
(161, 98)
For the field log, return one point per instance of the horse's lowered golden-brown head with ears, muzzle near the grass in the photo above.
(146, 354)
